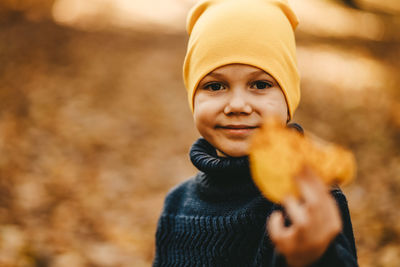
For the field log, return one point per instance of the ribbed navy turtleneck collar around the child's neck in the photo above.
(223, 175)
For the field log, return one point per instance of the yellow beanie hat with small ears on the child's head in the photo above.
(253, 32)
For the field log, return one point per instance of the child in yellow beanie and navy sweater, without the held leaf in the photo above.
(240, 68)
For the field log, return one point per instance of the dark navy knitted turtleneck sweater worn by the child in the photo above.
(218, 218)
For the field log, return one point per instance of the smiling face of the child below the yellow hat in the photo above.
(231, 102)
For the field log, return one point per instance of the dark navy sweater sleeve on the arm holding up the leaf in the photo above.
(342, 250)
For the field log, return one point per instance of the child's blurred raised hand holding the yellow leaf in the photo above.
(315, 222)
